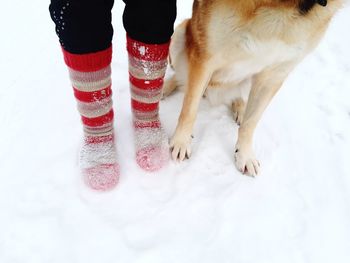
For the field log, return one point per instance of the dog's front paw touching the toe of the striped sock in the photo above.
(180, 147)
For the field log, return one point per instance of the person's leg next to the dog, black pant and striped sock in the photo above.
(149, 26)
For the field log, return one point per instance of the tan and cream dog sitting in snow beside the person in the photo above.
(239, 52)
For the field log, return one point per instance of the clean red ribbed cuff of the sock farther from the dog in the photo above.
(88, 62)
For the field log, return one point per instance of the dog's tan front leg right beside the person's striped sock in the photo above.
(198, 78)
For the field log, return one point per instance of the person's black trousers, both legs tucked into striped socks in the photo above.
(85, 26)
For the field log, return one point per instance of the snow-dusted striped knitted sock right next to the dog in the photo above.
(147, 65)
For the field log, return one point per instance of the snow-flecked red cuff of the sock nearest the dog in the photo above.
(148, 52)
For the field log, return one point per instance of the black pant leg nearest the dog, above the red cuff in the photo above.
(150, 21)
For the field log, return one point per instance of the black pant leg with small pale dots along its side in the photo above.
(83, 26)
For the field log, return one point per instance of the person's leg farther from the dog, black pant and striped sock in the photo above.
(85, 33)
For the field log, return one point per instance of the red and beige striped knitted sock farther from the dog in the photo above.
(90, 75)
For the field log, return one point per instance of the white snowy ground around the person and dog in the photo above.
(202, 210)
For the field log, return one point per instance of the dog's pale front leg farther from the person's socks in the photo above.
(264, 87)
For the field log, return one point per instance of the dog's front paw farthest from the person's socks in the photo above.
(246, 162)
